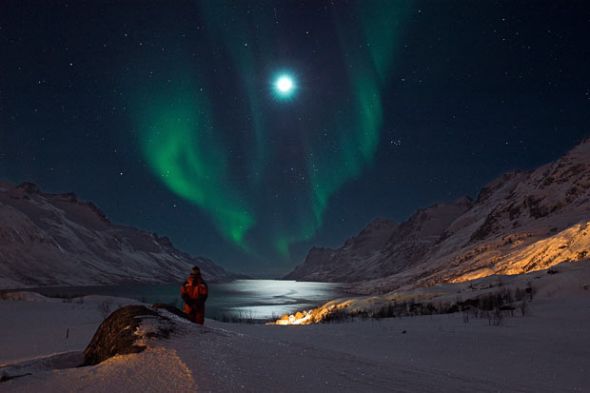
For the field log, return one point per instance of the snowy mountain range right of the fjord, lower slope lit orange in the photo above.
(520, 222)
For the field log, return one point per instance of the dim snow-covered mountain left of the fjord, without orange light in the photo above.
(56, 239)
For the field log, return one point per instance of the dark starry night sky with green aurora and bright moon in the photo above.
(168, 116)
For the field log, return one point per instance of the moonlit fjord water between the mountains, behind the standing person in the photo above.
(247, 299)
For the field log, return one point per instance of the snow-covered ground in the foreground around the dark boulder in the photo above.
(546, 351)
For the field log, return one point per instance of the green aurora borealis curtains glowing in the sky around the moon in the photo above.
(233, 157)
